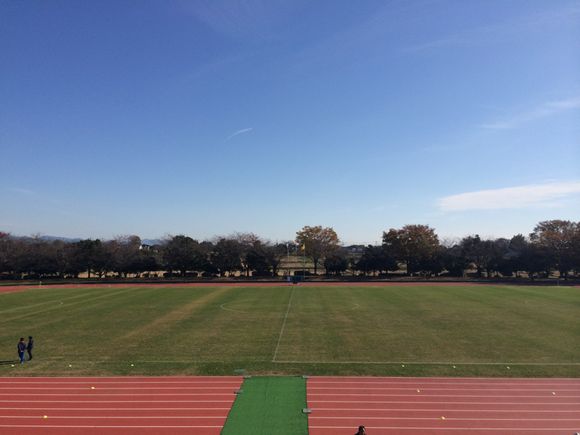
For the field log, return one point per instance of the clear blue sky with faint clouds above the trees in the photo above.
(210, 117)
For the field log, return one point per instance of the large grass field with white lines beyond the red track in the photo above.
(390, 330)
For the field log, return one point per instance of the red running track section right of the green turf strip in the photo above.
(436, 406)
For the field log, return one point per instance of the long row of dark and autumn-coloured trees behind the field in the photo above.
(553, 246)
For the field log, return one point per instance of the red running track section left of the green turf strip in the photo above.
(116, 405)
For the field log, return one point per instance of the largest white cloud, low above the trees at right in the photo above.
(537, 195)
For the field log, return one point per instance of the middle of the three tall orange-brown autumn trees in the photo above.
(415, 245)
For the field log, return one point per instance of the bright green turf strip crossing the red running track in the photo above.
(269, 405)
